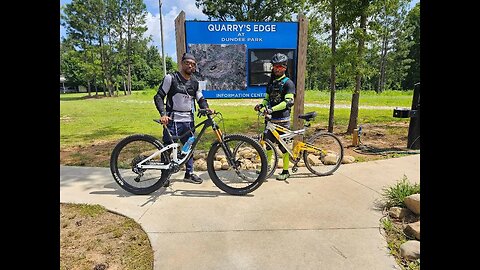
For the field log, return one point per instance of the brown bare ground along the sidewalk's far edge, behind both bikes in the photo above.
(376, 142)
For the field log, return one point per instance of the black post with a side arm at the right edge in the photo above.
(414, 115)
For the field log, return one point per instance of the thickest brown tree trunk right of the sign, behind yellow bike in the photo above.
(352, 124)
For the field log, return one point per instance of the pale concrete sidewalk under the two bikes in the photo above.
(306, 222)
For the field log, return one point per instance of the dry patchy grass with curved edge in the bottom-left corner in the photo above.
(93, 238)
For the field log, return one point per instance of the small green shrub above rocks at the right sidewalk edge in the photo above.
(394, 196)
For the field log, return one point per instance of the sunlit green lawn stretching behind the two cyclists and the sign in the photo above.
(86, 120)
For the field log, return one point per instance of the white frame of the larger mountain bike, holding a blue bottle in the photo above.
(174, 146)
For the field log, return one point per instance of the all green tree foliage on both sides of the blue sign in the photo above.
(106, 48)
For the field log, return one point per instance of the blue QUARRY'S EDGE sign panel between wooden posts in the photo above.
(233, 58)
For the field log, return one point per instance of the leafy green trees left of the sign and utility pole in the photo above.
(105, 46)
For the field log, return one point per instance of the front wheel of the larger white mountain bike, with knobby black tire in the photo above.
(244, 179)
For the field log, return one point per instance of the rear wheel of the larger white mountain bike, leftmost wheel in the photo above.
(130, 151)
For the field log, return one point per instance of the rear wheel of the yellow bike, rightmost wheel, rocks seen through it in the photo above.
(324, 154)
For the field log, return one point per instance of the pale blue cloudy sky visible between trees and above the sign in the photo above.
(170, 10)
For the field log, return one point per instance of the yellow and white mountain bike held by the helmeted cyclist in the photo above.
(322, 152)
